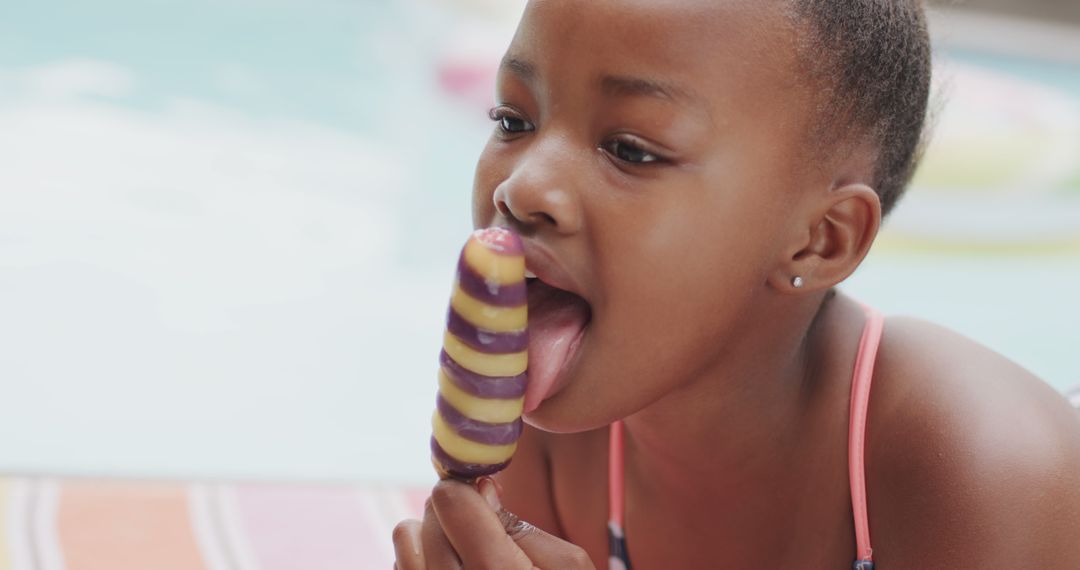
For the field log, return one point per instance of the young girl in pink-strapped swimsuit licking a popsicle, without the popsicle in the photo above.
(692, 179)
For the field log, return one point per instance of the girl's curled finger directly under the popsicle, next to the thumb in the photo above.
(474, 528)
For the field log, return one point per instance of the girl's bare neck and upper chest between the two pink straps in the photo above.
(761, 433)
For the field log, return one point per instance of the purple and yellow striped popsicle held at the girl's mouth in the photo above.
(484, 361)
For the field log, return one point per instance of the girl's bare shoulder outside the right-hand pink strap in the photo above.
(973, 463)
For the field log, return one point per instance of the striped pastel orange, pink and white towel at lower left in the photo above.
(50, 524)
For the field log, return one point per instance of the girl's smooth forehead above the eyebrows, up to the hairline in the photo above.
(715, 50)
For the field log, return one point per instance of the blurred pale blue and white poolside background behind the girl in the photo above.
(228, 228)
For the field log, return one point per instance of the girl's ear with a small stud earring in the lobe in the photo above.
(832, 241)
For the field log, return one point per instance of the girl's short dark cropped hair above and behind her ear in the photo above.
(871, 62)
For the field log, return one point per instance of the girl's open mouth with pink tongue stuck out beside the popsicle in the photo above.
(557, 318)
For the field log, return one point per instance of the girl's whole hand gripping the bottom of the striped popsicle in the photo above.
(467, 528)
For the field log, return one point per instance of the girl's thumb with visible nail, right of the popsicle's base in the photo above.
(546, 551)
